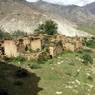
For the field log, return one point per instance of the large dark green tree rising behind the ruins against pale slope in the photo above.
(49, 27)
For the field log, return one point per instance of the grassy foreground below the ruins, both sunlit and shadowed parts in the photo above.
(63, 75)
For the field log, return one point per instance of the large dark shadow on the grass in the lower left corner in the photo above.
(10, 84)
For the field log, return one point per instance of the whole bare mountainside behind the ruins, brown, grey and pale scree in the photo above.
(21, 15)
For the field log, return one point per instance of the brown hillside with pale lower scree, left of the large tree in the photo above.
(16, 15)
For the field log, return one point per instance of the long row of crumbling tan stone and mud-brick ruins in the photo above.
(31, 47)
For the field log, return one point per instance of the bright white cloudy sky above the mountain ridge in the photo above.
(67, 2)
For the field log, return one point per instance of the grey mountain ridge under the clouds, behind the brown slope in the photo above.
(73, 13)
